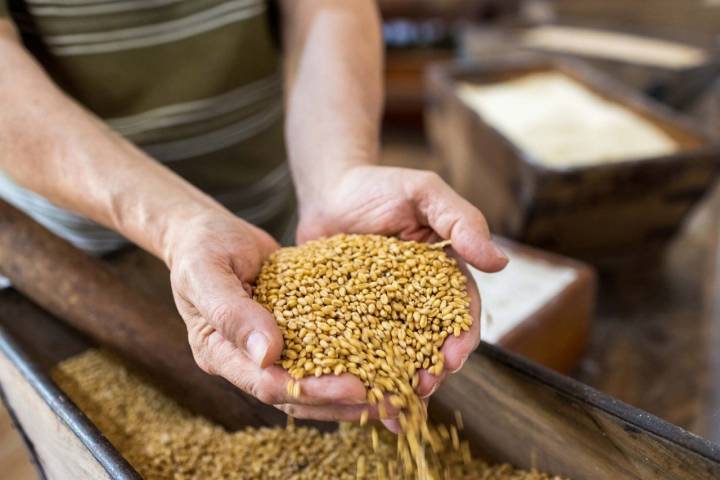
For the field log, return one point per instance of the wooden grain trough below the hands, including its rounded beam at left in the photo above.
(513, 409)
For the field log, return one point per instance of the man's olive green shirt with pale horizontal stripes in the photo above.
(194, 83)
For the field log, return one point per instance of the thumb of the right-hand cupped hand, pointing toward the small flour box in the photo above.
(456, 219)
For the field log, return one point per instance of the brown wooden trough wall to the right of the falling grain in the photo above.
(522, 413)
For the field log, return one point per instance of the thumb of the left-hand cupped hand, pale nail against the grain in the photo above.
(222, 301)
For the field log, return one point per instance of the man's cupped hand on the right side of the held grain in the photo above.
(411, 205)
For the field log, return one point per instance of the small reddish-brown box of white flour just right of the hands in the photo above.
(540, 306)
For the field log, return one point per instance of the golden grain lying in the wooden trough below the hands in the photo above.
(164, 441)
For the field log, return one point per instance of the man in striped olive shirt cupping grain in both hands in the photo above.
(188, 91)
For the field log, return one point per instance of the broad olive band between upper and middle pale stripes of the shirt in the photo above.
(130, 82)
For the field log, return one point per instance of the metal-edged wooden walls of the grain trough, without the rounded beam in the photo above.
(513, 411)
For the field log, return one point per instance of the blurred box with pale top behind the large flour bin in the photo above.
(672, 72)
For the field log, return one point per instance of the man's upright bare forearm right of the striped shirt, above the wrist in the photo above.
(333, 74)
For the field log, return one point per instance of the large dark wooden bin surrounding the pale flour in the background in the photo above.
(592, 212)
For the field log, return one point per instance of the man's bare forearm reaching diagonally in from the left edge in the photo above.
(51, 145)
